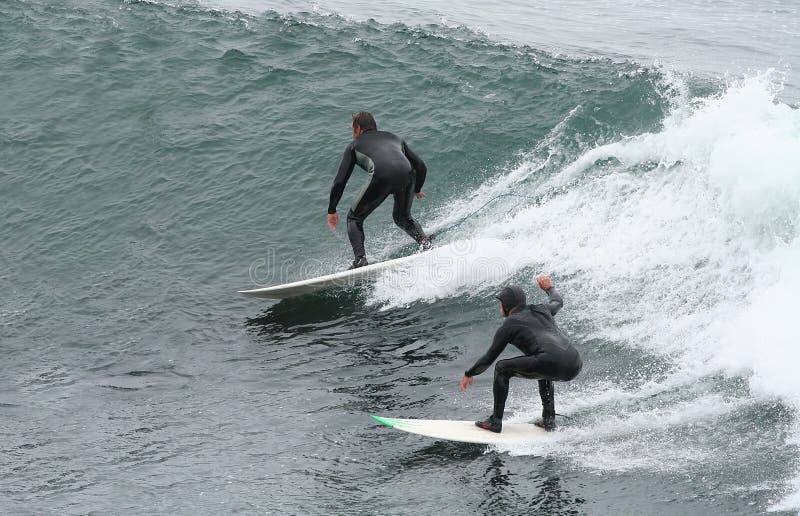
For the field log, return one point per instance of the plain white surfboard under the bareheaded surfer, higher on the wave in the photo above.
(337, 279)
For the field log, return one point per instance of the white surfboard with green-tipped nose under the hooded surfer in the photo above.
(466, 431)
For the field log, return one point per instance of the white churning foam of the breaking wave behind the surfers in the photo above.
(686, 247)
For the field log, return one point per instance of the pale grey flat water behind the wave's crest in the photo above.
(729, 38)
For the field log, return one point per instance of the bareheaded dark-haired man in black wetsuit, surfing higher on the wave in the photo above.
(393, 169)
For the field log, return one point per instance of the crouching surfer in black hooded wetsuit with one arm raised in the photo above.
(548, 354)
